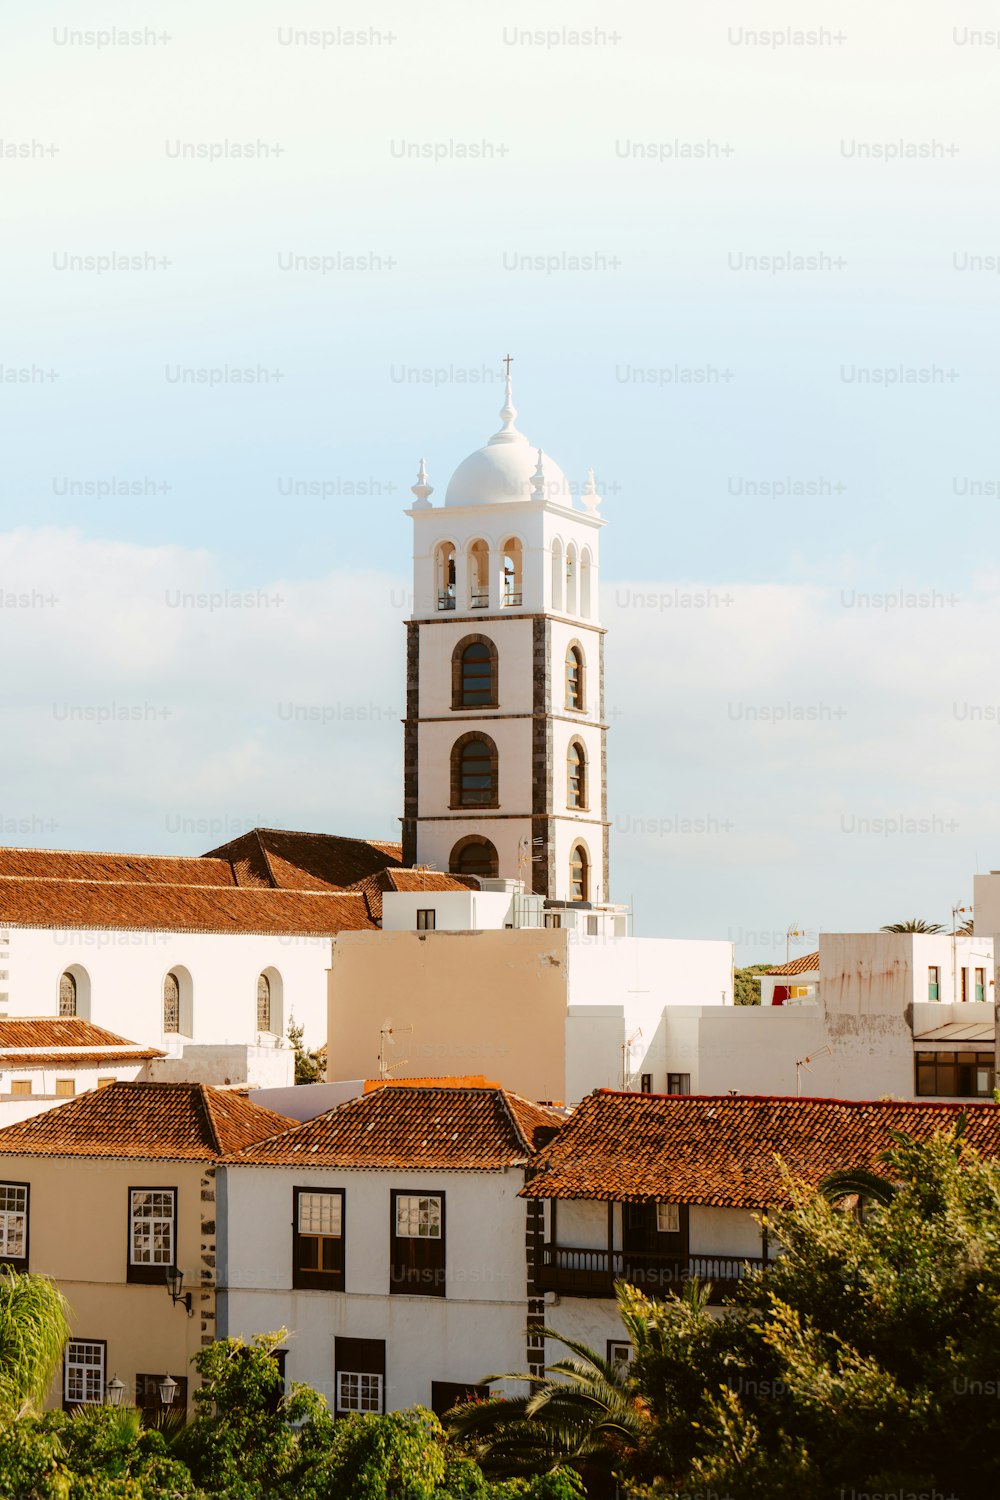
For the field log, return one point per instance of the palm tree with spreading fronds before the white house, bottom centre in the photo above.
(584, 1412)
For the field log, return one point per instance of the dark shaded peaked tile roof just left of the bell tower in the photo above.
(299, 862)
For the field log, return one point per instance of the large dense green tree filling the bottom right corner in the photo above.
(863, 1360)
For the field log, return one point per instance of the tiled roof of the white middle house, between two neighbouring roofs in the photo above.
(412, 1130)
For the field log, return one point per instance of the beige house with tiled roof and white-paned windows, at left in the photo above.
(109, 1193)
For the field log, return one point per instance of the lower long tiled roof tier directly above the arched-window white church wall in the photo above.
(178, 908)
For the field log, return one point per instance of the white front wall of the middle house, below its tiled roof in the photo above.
(478, 1330)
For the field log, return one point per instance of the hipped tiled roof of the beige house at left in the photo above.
(145, 1123)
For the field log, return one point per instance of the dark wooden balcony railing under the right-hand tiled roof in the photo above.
(593, 1273)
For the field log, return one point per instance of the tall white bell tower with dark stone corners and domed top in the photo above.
(504, 733)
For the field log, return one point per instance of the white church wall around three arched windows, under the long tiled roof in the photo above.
(127, 971)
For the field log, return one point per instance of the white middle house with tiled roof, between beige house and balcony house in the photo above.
(389, 1238)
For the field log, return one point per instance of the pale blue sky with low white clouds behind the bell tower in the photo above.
(257, 260)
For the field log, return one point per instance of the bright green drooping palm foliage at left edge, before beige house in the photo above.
(34, 1333)
